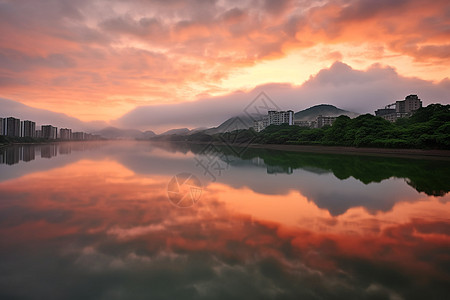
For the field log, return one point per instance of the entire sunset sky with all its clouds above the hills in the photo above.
(171, 63)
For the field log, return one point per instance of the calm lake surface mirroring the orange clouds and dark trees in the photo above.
(103, 221)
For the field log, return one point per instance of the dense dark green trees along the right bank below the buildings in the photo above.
(428, 128)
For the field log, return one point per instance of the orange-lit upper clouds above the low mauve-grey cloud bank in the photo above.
(97, 59)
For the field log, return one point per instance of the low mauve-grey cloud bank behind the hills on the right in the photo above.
(340, 85)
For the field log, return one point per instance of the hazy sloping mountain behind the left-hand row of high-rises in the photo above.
(10, 108)
